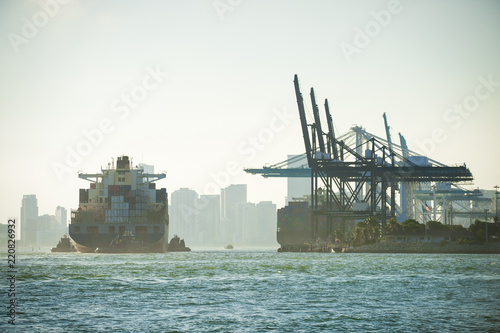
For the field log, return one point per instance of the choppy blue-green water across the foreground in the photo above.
(256, 291)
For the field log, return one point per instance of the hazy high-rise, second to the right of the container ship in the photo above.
(208, 220)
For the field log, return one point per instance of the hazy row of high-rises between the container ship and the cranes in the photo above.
(222, 219)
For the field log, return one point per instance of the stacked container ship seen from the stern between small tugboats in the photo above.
(122, 211)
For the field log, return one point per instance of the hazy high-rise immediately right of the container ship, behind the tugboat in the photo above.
(183, 213)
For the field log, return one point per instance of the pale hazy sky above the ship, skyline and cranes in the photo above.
(228, 101)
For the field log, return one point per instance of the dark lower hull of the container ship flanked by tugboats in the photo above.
(151, 238)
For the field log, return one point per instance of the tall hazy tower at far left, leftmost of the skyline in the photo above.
(29, 220)
